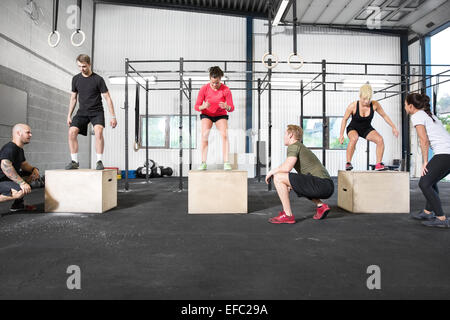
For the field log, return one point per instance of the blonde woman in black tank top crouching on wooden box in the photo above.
(362, 112)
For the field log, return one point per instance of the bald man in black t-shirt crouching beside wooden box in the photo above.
(15, 172)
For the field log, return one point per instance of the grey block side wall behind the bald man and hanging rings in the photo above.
(28, 63)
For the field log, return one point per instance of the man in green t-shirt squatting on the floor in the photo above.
(311, 180)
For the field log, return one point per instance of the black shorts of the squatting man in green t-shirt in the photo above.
(311, 187)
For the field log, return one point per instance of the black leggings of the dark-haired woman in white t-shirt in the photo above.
(438, 168)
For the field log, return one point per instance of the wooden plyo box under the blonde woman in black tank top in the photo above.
(373, 191)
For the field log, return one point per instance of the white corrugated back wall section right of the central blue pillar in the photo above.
(334, 46)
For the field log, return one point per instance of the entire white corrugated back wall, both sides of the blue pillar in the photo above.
(144, 33)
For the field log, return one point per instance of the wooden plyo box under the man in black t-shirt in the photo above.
(81, 190)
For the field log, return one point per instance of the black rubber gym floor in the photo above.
(150, 248)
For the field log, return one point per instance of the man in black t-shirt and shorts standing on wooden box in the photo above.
(89, 88)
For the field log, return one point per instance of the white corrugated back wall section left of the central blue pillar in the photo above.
(153, 34)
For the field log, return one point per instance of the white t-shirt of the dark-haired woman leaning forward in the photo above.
(438, 136)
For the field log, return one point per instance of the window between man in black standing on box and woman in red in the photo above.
(164, 132)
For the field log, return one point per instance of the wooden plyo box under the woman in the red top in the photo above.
(217, 191)
